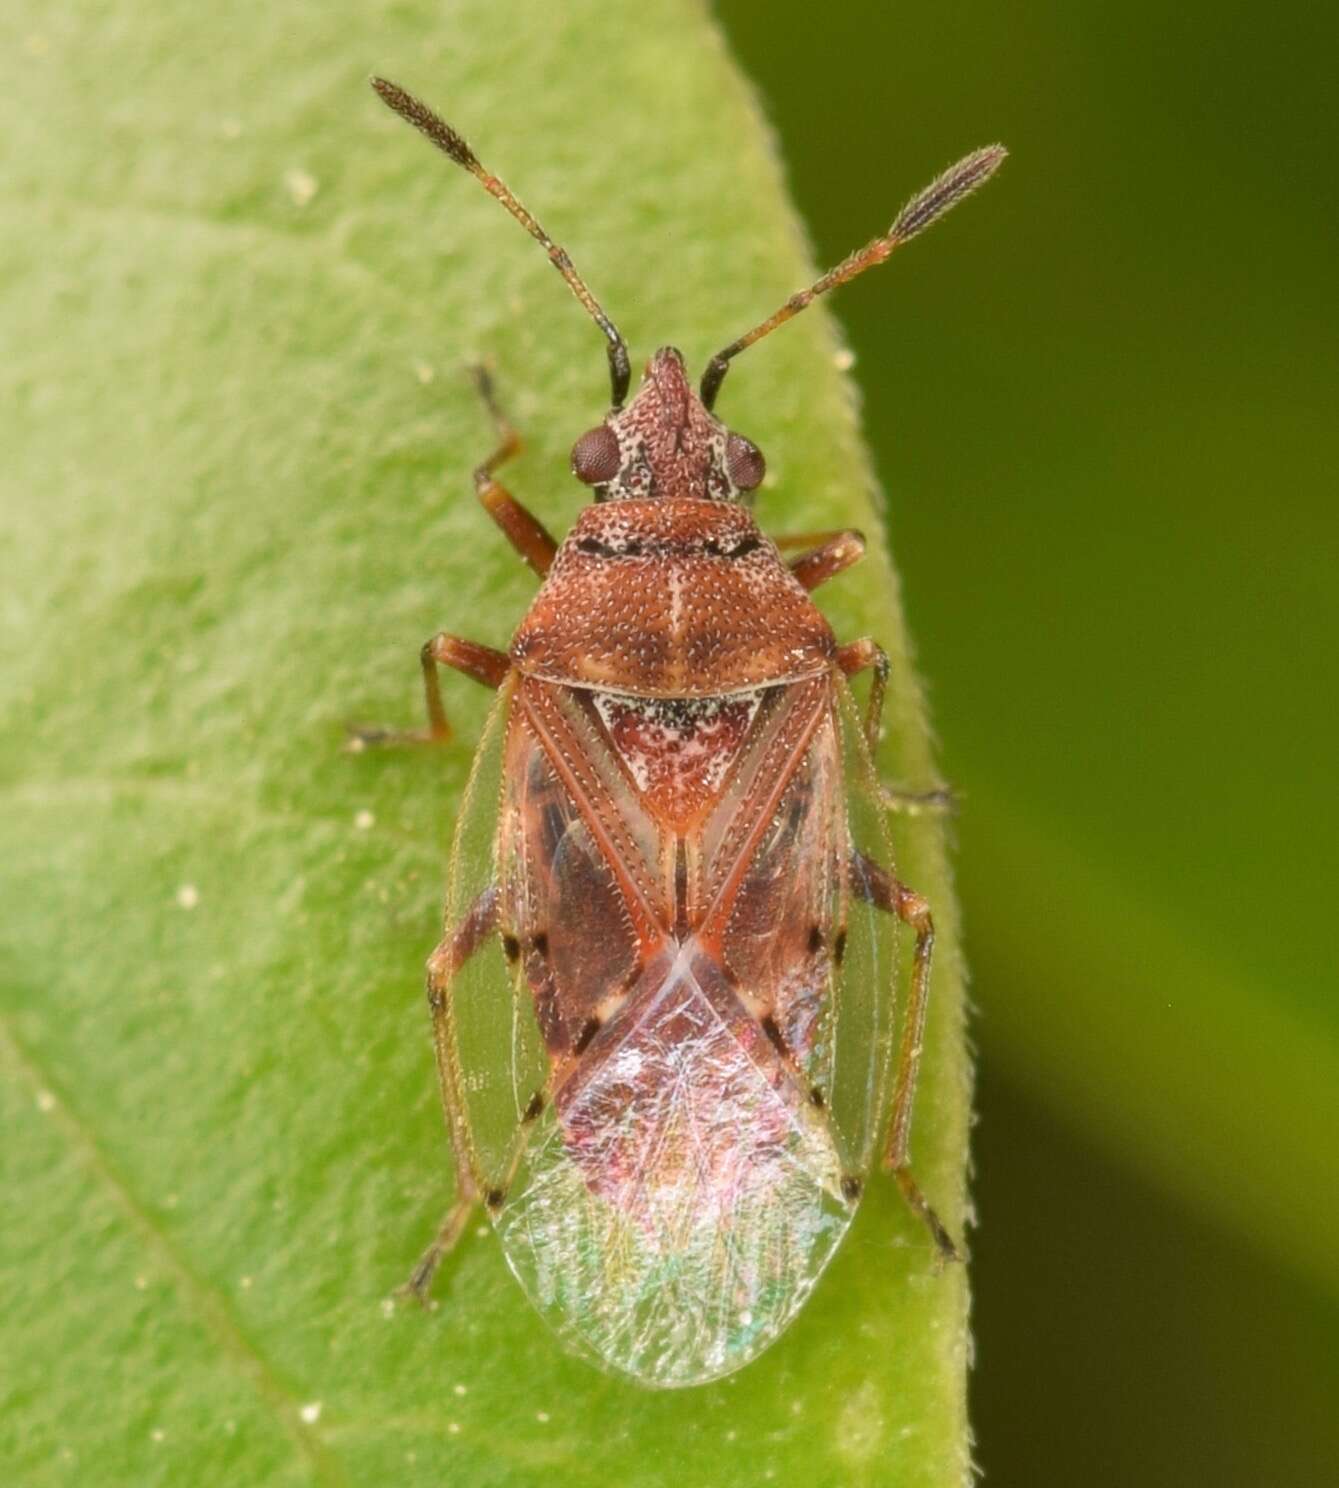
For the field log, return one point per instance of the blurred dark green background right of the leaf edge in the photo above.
(1105, 413)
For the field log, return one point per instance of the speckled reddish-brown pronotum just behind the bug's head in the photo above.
(672, 599)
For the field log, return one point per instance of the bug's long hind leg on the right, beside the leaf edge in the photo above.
(886, 892)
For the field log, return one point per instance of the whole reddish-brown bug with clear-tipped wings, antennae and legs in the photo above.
(663, 1007)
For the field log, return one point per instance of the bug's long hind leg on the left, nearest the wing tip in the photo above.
(453, 953)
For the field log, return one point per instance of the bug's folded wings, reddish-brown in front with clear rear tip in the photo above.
(709, 1026)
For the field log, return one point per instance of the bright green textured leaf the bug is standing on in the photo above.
(239, 440)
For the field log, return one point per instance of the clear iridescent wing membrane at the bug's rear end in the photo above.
(678, 1206)
